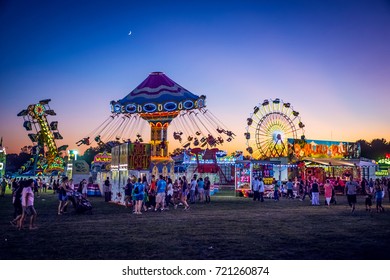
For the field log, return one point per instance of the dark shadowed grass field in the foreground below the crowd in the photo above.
(228, 228)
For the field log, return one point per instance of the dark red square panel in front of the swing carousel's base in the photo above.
(139, 156)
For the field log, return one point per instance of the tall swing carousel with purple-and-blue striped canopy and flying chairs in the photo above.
(160, 102)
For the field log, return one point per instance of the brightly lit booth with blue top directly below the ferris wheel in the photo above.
(247, 170)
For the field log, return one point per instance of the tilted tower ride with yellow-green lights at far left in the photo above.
(46, 155)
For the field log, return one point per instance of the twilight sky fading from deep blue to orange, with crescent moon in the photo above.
(329, 59)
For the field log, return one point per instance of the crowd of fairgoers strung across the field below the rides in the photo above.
(163, 193)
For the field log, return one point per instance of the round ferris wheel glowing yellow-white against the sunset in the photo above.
(269, 126)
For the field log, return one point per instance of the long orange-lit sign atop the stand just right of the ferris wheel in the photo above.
(298, 149)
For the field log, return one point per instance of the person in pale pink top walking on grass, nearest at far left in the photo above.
(28, 205)
